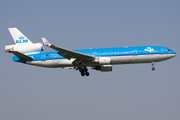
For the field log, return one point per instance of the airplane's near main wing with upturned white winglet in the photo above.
(68, 54)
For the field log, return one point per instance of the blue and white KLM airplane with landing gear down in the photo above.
(101, 59)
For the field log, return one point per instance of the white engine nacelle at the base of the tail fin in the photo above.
(26, 48)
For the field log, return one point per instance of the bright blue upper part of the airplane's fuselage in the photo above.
(102, 52)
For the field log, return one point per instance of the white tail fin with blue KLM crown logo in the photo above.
(18, 37)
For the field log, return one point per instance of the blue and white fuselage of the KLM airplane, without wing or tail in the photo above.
(121, 55)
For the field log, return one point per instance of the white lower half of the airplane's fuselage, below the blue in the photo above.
(114, 60)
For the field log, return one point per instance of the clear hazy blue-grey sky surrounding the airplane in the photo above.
(129, 92)
